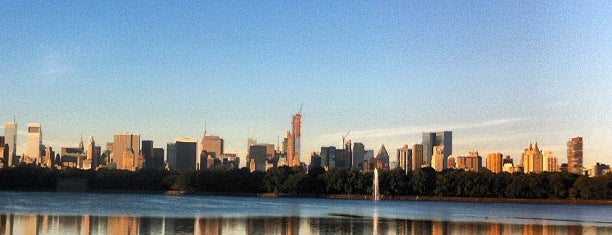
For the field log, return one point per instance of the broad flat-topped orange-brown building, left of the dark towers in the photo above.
(126, 143)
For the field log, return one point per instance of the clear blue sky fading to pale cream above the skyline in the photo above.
(499, 75)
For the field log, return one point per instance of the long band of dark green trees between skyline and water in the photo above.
(318, 182)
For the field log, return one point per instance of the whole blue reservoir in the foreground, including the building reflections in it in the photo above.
(113, 213)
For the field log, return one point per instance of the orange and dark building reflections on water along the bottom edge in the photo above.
(338, 224)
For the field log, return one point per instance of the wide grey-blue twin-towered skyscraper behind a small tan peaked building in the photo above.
(431, 139)
